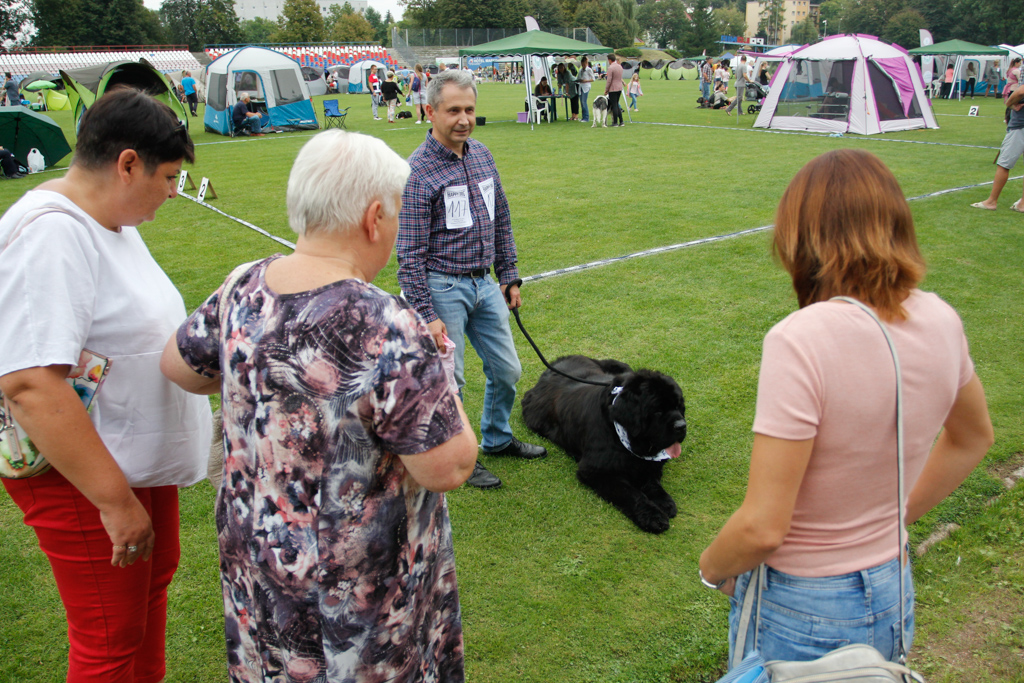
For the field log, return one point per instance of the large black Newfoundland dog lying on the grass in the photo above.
(620, 436)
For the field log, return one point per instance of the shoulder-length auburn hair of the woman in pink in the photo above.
(844, 229)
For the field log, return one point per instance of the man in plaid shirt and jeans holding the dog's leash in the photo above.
(455, 225)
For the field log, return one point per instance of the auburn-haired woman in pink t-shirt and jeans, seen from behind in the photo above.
(821, 505)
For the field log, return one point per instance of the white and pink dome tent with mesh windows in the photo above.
(847, 84)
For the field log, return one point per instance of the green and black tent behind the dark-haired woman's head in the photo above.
(88, 86)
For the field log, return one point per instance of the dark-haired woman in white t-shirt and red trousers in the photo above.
(75, 275)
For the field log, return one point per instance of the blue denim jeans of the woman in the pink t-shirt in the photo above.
(803, 619)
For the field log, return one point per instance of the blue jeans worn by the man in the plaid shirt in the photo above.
(475, 308)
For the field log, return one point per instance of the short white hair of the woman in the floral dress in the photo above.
(335, 179)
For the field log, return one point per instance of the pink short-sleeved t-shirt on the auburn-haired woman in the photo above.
(827, 374)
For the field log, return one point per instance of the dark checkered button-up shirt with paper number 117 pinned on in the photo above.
(424, 241)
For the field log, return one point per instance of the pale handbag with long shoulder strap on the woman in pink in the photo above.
(852, 664)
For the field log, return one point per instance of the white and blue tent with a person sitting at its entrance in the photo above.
(274, 82)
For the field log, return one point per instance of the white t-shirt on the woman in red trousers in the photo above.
(70, 284)
